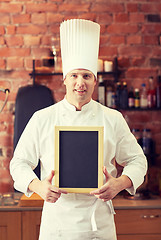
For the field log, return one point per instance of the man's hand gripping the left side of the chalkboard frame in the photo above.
(46, 190)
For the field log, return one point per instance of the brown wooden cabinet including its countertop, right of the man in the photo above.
(138, 219)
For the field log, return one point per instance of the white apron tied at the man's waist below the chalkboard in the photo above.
(77, 217)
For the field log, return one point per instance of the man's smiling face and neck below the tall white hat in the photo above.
(80, 85)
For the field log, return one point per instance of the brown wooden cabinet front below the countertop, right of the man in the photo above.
(138, 224)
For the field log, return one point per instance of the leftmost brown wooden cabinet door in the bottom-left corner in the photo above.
(10, 226)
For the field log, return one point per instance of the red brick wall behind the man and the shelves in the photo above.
(130, 31)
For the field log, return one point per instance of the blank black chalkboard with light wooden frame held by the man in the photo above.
(78, 158)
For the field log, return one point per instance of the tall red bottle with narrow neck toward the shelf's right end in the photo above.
(151, 94)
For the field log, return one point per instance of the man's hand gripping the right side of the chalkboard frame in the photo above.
(112, 186)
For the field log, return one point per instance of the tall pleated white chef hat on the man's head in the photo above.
(79, 45)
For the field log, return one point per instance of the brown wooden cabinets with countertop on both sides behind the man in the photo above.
(135, 220)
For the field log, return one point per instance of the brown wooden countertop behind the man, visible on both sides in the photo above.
(119, 202)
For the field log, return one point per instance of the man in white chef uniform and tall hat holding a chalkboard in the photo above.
(74, 216)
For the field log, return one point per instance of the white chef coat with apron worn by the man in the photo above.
(76, 216)
